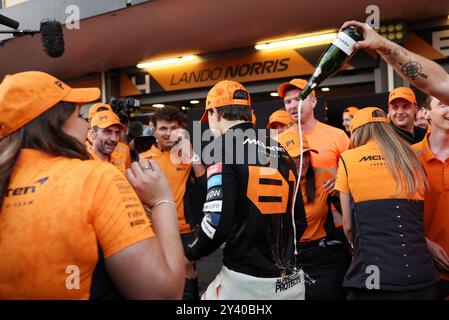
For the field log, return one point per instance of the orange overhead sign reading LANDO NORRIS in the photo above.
(260, 66)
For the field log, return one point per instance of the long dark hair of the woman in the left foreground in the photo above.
(43, 133)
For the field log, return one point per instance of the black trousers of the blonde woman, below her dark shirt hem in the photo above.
(365, 294)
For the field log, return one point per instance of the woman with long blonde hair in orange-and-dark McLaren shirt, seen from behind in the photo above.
(382, 184)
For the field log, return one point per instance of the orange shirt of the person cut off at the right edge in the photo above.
(436, 201)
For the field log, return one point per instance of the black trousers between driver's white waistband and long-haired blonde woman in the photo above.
(324, 270)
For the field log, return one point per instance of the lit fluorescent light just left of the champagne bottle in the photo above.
(300, 42)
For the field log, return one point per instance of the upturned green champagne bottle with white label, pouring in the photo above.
(333, 58)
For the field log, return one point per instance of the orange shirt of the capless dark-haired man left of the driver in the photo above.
(177, 175)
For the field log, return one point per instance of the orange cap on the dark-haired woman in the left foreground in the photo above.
(26, 95)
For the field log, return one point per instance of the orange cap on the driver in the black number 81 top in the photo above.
(226, 93)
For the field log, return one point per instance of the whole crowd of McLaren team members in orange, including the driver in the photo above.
(304, 210)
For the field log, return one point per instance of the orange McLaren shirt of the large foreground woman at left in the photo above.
(55, 214)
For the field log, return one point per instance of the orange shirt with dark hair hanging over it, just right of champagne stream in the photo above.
(316, 211)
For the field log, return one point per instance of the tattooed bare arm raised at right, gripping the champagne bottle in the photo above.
(421, 72)
